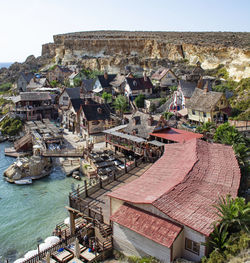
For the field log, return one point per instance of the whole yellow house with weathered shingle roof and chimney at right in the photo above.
(207, 106)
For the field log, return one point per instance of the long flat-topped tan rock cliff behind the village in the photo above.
(112, 50)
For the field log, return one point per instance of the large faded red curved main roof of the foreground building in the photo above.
(186, 181)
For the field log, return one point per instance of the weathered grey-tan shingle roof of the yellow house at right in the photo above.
(203, 101)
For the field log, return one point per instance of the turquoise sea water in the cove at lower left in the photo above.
(30, 212)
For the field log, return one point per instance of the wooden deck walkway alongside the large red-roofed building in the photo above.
(99, 198)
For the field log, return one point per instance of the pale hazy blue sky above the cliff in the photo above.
(27, 24)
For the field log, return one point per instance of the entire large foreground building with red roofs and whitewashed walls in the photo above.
(167, 213)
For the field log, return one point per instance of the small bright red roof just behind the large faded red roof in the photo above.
(176, 135)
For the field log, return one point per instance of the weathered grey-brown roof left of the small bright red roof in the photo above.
(141, 127)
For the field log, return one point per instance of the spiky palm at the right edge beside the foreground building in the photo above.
(234, 214)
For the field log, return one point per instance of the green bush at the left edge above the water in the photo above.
(11, 126)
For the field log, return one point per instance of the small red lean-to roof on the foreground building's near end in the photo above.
(155, 228)
